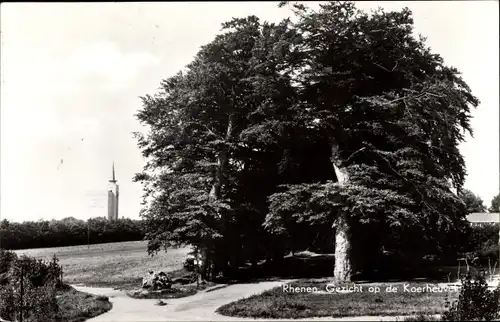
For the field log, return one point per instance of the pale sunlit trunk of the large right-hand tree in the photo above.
(343, 264)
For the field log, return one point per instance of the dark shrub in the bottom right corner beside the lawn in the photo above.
(476, 302)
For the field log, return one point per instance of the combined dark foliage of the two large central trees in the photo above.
(240, 145)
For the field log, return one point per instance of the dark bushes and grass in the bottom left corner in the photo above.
(45, 298)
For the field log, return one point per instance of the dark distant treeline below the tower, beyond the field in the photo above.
(67, 232)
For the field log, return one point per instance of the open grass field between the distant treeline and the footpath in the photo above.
(109, 265)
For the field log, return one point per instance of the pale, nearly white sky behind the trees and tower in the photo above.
(72, 75)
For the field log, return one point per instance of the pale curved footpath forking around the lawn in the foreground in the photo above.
(200, 306)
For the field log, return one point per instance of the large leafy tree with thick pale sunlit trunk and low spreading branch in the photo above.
(394, 115)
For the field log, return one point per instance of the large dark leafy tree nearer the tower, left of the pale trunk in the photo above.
(220, 132)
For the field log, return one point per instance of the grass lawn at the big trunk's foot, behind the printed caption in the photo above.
(280, 302)
